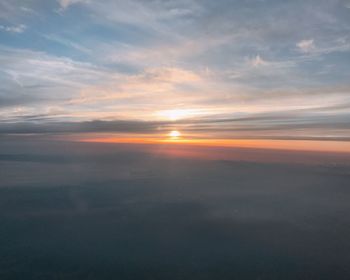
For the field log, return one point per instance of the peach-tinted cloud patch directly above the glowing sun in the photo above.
(150, 86)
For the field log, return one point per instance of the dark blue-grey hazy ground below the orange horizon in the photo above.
(94, 211)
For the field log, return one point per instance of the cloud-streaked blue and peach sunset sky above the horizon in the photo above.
(262, 69)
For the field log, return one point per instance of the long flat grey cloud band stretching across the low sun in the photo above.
(293, 124)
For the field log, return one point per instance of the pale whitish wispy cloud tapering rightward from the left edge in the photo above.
(36, 76)
